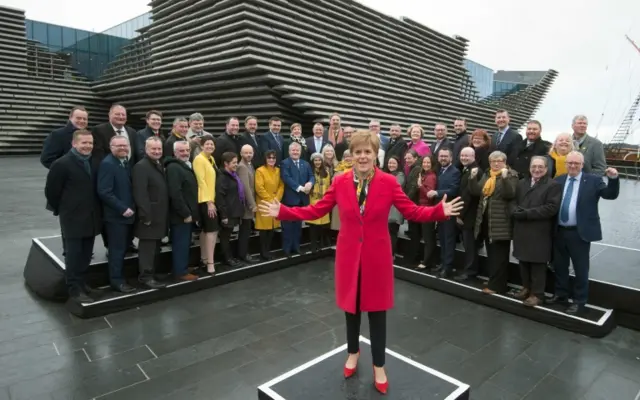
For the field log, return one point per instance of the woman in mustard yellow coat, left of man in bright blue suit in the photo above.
(269, 186)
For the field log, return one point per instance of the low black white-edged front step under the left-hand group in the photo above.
(114, 302)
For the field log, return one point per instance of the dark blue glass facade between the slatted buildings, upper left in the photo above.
(89, 52)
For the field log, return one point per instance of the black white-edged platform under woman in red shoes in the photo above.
(322, 378)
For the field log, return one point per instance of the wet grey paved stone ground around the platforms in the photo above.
(224, 342)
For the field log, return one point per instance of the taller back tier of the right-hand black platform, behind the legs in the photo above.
(617, 264)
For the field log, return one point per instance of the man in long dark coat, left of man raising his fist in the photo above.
(537, 203)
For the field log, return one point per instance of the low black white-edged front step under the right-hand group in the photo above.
(598, 322)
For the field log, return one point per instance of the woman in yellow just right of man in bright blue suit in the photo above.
(318, 228)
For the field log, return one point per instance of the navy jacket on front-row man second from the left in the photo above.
(115, 191)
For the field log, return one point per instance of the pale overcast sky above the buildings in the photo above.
(599, 71)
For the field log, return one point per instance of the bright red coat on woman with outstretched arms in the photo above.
(363, 241)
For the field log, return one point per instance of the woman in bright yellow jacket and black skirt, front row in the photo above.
(205, 170)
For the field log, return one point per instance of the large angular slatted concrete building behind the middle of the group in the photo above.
(301, 60)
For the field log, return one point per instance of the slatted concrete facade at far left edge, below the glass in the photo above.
(37, 89)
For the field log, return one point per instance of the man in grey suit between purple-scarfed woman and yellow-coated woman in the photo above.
(246, 173)
